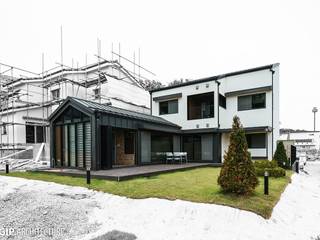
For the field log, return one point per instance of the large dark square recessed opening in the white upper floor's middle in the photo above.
(201, 106)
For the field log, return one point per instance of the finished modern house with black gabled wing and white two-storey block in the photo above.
(193, 117)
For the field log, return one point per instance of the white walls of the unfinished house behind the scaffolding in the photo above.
(33, 101)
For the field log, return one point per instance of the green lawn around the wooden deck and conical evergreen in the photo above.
(196, 185)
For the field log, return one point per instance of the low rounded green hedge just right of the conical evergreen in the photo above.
(271, 166)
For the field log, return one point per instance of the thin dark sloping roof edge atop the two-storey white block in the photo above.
(217, 77)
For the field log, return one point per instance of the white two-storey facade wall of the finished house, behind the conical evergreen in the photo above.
(264, 80)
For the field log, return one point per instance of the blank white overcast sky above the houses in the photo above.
(178, 39)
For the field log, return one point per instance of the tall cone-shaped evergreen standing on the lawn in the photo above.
(237, 174)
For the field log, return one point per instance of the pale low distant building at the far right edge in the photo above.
(306, 142)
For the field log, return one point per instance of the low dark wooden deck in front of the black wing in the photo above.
(125, 173)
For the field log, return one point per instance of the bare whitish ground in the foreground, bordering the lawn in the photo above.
(87, 214)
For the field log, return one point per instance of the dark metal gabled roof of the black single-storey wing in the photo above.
(93, 107)
